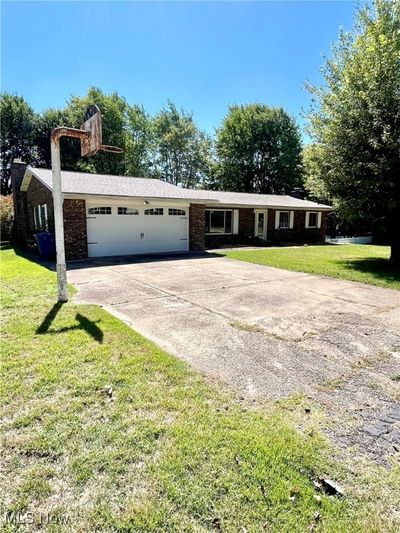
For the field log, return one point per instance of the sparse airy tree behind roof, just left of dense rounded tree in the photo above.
(182, 151)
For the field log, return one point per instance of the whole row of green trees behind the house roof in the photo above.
(256, 149)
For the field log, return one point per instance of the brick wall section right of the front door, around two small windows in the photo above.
(299, 234)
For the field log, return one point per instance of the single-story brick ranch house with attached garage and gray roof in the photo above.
(117, 215)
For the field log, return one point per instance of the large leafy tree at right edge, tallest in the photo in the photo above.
(355, 120)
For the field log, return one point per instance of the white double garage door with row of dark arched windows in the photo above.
(128, 229)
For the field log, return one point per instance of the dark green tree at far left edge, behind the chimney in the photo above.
(18, 122)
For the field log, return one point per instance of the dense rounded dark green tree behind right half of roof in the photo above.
(259, 150)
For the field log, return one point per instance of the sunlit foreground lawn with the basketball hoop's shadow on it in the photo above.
(166, 451)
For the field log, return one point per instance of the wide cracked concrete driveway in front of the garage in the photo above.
(265, 331)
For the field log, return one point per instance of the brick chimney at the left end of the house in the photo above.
(17, 172)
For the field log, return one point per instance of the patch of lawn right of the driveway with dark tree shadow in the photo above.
(355, 262)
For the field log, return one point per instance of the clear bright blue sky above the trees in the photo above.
(201, 55)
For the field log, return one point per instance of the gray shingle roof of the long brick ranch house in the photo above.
(83, 183)
